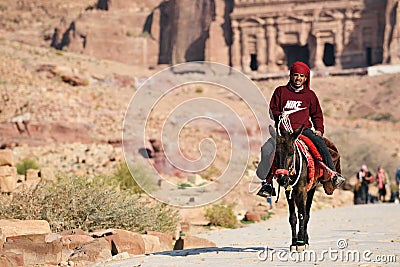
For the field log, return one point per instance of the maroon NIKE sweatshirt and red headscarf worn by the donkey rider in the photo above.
(303, 105)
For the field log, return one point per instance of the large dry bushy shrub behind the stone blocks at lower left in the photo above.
(89, 205)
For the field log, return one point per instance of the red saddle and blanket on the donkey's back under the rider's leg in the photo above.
(315, 168)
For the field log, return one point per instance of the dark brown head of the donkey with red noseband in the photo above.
(285, 156)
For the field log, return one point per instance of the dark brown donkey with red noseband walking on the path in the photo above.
(292, 174)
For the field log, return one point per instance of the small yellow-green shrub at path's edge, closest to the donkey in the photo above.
(221, 215)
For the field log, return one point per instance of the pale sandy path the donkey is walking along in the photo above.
(363, 235)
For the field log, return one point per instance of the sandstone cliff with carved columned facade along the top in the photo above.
(255, 36)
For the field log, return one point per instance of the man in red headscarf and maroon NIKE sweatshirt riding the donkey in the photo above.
(294, 106)
